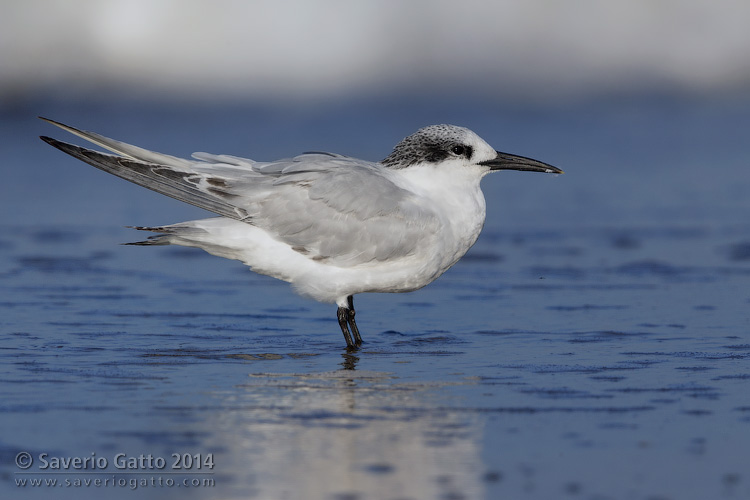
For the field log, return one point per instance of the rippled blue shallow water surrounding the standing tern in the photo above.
(595, 343)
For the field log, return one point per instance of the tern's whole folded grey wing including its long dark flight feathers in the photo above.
(326, 206)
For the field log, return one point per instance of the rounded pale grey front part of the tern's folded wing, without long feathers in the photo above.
(348, 213)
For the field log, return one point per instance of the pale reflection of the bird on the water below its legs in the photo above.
(339, 433)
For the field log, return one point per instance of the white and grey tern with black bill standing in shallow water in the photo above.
(333, 226)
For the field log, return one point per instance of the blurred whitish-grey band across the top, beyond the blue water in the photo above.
(325, 50)
